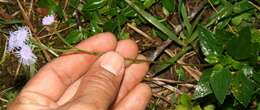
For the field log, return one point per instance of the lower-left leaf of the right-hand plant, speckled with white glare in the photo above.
(203, 87)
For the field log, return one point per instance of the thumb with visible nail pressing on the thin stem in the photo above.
(100, 85)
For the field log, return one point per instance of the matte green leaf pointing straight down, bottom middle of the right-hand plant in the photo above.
(220, 83)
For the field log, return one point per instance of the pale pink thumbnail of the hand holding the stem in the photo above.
(112, 62)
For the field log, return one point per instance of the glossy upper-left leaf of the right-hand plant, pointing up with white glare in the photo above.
(209, 44)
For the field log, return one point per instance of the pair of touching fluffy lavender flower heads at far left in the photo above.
(19, 45)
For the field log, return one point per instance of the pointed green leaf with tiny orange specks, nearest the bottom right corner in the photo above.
(242, 88)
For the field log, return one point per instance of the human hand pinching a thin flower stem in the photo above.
(87, 82)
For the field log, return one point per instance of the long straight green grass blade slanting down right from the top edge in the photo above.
(156, 23)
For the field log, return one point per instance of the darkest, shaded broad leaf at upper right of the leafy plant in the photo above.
(241, 48)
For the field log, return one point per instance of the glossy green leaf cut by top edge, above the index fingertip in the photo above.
(92, 5)
